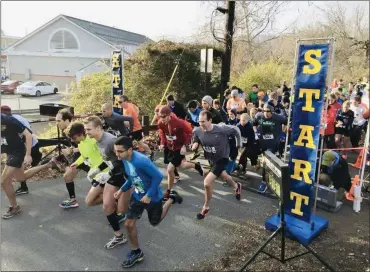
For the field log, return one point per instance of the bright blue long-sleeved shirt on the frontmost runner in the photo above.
(143, 176)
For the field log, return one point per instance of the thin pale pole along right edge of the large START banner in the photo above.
(329, 79)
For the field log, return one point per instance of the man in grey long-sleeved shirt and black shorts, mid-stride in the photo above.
(215, 142)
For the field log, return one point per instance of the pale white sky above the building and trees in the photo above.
(154, 19)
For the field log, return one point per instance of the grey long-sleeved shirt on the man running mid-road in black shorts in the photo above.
(216, 142)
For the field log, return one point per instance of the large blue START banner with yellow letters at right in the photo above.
(309, 88)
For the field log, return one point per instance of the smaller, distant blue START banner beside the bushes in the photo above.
(117, 78)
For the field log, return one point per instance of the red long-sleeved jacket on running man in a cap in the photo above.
(175, 134)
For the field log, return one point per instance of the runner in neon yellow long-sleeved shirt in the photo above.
(89, 153)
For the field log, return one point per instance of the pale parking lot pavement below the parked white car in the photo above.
(26, 103)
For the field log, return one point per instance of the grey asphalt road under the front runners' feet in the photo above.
(46, 237)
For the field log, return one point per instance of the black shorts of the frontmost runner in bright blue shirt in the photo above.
(154, 210)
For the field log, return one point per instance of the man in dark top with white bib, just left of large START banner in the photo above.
(269, 125)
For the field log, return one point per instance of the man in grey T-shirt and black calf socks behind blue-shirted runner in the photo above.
(115, 213)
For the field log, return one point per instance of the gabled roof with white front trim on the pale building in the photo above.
(110, 35)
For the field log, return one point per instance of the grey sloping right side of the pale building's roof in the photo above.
(112, 35)
